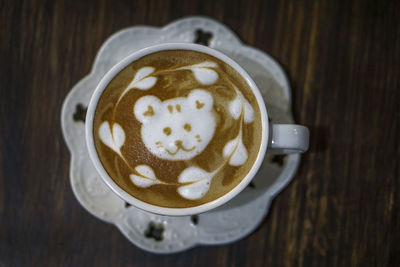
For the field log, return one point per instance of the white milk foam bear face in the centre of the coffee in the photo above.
(168, 129)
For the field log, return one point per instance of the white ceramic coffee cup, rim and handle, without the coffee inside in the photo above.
(278, 138)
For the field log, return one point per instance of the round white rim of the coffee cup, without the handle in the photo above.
(165, 210)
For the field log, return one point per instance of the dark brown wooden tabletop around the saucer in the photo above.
(343, 60)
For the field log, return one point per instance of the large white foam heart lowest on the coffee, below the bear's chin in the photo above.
(200, 183)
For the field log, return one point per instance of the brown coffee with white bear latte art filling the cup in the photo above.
(177, 128)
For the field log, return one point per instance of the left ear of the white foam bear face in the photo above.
(146, 108)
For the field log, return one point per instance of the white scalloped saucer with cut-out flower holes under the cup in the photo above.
(226, 224)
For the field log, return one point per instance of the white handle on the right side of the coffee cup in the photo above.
(288, 139)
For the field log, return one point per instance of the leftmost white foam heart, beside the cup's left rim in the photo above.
(113, 140)
